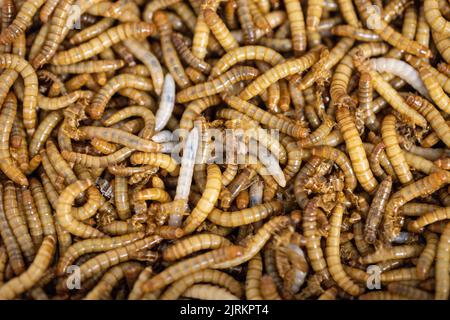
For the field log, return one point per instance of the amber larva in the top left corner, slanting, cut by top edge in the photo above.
(21, 22)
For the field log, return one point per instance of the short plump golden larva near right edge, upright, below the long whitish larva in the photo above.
(393, 151)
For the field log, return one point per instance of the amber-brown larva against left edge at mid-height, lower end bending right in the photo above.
(7, 116)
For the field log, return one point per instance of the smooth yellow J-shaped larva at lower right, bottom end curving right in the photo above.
(333, 257)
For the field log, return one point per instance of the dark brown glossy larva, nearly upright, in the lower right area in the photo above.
(376, 209)
